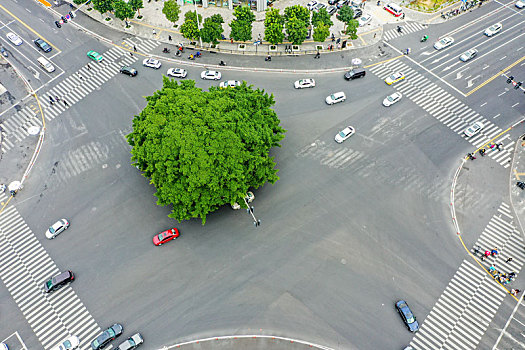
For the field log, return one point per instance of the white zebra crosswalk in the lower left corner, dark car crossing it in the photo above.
(24, 267)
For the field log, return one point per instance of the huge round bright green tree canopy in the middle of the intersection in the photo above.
(204, 149)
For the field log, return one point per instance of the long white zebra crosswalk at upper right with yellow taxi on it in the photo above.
(446, 108)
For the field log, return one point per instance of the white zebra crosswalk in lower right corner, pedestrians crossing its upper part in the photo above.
(468, 304)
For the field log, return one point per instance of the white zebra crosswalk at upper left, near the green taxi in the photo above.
(71, 90)
